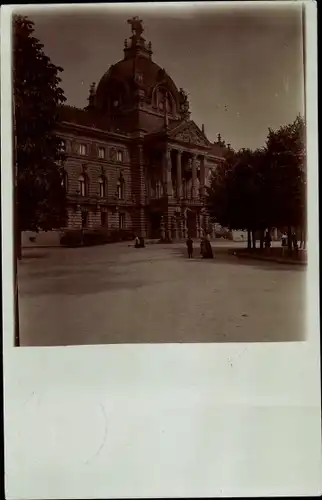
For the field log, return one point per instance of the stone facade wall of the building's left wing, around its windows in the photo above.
(94, 168)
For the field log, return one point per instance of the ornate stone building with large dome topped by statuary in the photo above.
(135, 159)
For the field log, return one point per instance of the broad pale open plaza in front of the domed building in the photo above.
(116, 293)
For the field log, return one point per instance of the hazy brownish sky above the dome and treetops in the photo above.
(242, 66)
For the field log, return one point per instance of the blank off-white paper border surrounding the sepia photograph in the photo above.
(188, 420)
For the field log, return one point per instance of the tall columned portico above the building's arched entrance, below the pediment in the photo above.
(176, 190)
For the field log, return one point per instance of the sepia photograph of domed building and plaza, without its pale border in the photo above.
(160, 174)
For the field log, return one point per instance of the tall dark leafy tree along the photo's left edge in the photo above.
(40, 196)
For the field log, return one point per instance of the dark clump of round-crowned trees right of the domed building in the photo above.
(257, 190)
